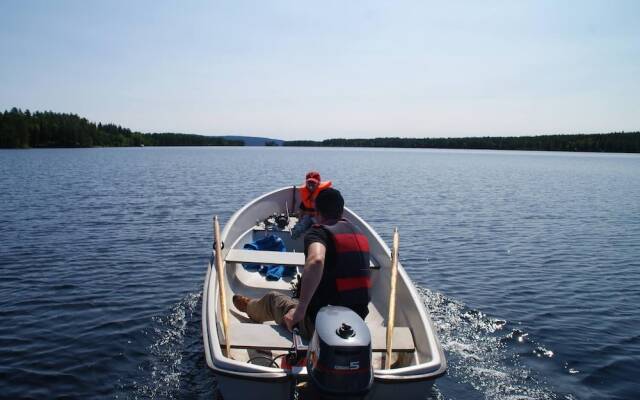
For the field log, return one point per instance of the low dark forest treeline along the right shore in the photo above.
(616, 142)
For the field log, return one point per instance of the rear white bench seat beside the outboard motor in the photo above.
(275, 337)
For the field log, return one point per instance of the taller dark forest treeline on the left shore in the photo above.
(23, 129)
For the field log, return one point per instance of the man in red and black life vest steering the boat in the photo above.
(336, 272)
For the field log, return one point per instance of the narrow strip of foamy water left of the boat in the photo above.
(167, 350)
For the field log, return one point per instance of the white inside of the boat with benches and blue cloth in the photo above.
(266, 343)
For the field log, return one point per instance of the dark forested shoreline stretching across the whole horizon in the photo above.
(23, 129)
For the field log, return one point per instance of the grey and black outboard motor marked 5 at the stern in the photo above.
(339, 355)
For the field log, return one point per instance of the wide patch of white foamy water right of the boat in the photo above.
(476, 353)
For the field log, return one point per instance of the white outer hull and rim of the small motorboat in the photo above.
(239, 380)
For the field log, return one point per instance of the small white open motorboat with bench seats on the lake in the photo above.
(251, 370)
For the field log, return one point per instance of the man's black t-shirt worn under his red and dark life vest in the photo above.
(320, 299)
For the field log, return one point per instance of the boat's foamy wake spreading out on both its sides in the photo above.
(482, 352)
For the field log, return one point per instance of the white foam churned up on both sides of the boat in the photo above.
(474, 343)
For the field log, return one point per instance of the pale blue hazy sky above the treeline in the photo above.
(303, 70)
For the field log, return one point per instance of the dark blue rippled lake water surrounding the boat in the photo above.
(529, 263)
